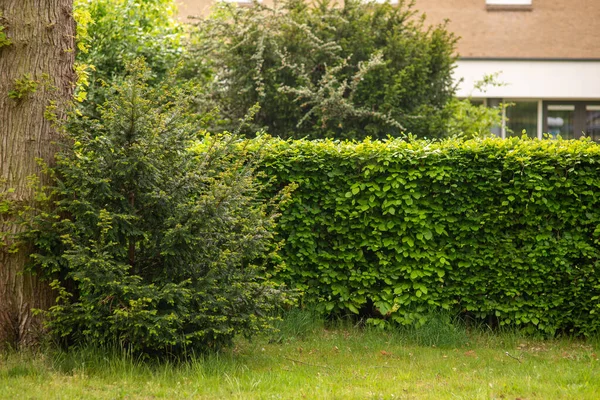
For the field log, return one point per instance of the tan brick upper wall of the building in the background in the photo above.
(549, 29)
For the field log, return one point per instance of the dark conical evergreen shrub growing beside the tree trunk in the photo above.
(156, 236)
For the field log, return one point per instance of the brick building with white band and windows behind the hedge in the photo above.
(545, 52)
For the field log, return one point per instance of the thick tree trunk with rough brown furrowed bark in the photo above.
(42, 35)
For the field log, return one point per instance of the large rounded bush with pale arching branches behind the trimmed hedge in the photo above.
(329, 71)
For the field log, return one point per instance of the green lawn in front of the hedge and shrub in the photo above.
(313, 361)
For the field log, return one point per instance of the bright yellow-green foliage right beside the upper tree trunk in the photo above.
(112, 33)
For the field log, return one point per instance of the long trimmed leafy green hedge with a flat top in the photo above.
(507, 229)
